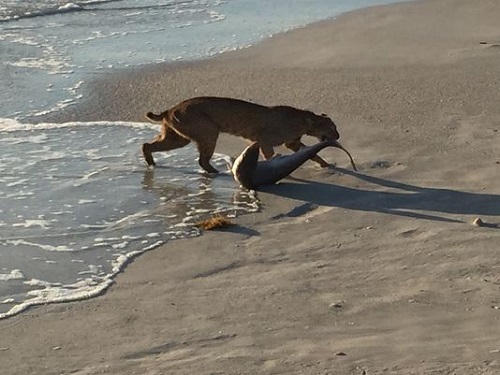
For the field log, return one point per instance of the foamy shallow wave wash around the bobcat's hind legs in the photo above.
(78, 202)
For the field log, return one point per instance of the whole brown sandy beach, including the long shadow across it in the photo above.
(380, 272)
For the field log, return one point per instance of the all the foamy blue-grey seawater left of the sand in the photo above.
(73, 208)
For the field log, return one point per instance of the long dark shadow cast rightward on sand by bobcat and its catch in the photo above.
(407, 200)
